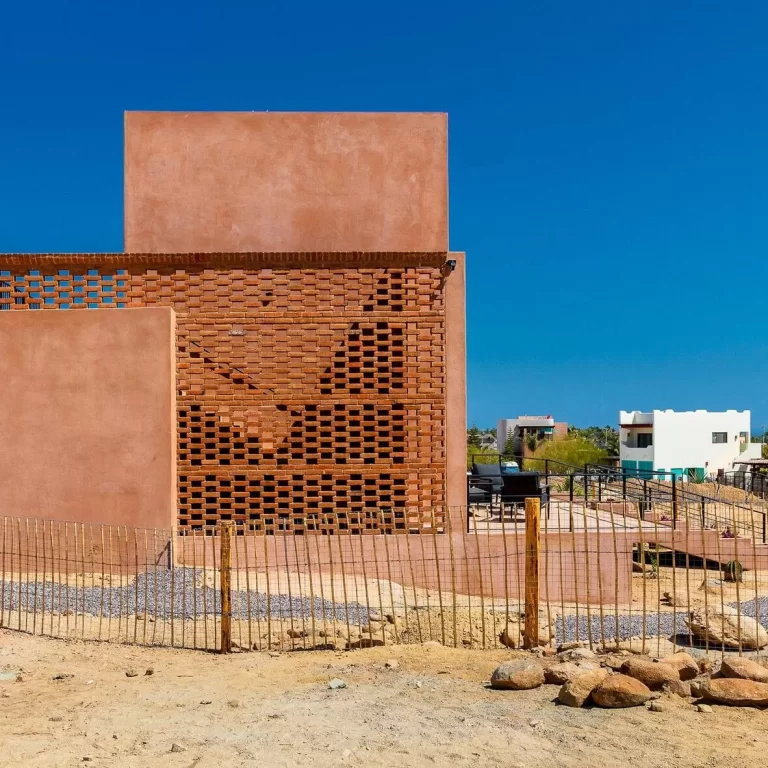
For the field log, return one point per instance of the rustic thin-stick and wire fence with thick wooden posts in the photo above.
(608, 573)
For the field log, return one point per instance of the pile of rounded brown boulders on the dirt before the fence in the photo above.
(624, 680)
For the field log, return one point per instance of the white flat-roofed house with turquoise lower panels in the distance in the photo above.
(685, 443)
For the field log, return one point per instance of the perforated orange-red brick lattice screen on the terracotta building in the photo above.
(310, 398)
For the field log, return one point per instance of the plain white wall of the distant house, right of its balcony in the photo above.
(684, 439)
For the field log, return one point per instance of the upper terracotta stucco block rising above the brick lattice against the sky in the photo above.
(256, 181)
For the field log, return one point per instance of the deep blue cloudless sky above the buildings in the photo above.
(608, 166)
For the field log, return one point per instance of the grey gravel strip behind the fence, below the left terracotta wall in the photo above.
(188, 600)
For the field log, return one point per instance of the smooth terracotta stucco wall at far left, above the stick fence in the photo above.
(87, 423)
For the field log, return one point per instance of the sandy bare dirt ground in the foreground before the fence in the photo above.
(277, 710)
